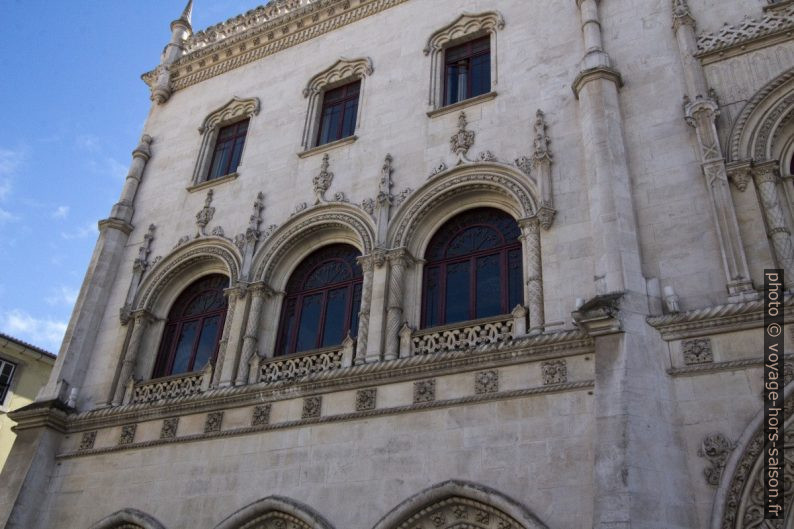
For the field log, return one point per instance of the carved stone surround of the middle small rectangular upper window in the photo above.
(342, 72)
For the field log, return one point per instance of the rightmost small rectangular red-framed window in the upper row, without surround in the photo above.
(467, 70)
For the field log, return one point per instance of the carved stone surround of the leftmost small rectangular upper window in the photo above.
(235, 110)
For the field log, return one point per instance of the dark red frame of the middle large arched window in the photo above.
(297, 292)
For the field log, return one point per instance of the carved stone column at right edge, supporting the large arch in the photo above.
(766, 178)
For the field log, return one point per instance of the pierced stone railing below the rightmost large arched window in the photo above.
(462, 336)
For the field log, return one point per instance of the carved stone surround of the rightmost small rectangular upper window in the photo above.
(467, 26)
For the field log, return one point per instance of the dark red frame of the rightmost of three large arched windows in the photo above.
(438, 261)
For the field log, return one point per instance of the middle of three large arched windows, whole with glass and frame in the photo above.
(323, 300)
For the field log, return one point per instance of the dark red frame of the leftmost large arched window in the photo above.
(177, 319)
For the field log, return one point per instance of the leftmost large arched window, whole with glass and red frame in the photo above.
(194, 327)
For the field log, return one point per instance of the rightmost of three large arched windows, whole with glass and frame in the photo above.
(473, 268)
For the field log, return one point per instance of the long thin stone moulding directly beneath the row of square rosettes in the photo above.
(418, 406)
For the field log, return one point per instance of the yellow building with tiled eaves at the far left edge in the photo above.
(32, 371)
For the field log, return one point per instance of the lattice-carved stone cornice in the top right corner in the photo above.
(774, 26)
